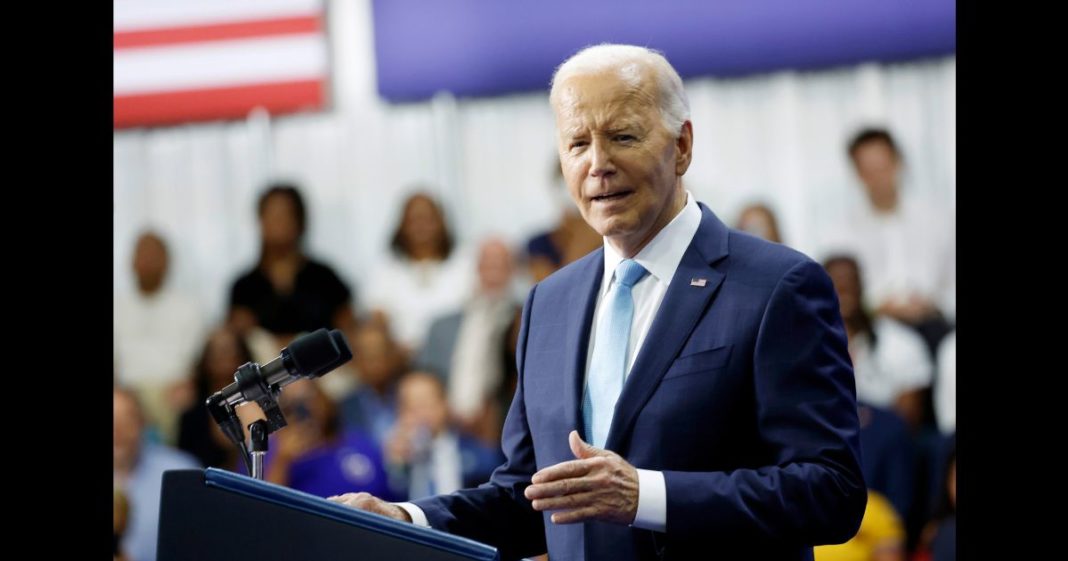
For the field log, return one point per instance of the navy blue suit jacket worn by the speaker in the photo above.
(743, 395)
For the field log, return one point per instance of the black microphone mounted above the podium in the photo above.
(309, 356)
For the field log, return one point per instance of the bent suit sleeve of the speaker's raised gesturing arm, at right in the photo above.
(813, 492)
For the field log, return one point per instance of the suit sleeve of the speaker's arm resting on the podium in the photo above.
(497, 513)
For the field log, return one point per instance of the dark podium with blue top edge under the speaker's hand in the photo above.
(217, 516)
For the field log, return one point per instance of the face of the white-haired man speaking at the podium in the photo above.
(622, 167)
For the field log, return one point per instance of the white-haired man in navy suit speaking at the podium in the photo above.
(686, 392)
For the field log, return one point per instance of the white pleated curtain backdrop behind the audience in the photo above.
(776, 138)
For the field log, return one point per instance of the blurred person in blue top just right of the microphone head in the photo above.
(380, 363)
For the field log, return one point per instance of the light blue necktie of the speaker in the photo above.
(608, 365)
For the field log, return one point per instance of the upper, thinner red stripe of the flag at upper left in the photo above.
(155, 38)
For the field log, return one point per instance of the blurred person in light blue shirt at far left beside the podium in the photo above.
(138, 473)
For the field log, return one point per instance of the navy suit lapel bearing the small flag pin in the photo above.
(679, 315)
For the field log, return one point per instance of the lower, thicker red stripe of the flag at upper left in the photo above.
(216, 103)
